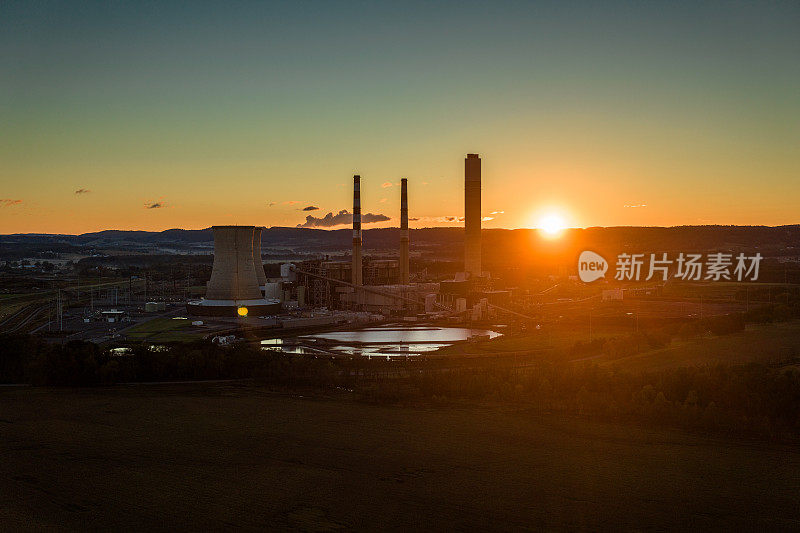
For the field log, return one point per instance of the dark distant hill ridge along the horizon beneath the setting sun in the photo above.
(778, 240)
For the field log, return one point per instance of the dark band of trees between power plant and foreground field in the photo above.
(753, 400)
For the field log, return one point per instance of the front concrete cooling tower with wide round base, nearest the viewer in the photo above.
(235, 282)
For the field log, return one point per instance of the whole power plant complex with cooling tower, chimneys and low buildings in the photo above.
(377, 285)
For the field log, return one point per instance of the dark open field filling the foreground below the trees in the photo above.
(215, 456)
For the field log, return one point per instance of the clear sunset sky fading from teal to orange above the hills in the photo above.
(156, 115)
